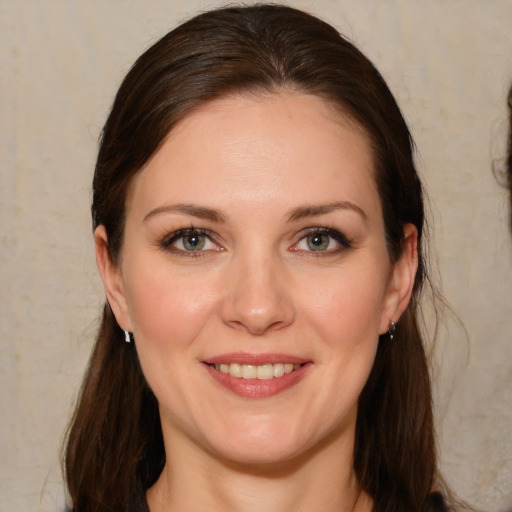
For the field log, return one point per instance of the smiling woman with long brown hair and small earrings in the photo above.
(258, 226)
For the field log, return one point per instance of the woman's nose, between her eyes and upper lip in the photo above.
(257, 298)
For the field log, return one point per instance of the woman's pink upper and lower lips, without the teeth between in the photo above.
(254, 388)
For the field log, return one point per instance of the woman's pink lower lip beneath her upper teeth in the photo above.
(256, 388)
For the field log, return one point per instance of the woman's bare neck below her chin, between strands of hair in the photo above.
(320, 480)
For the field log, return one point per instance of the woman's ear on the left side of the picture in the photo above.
(112, 279)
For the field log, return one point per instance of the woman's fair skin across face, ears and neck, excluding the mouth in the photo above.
(256, 170)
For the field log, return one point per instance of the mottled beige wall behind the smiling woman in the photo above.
(449, 63)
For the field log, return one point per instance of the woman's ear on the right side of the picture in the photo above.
(401, 280)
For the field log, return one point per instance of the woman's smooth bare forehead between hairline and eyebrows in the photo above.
(256, 148)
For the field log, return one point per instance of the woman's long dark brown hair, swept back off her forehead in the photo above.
(114, 449)
